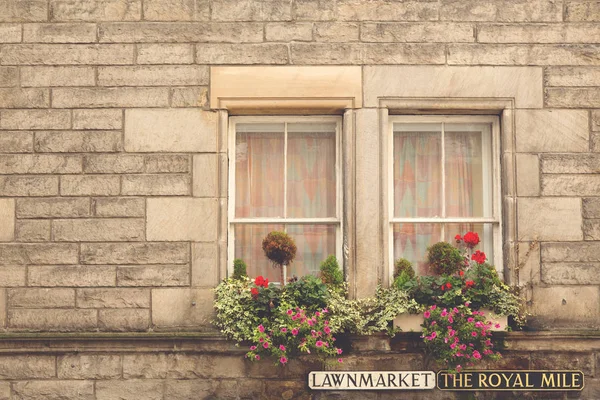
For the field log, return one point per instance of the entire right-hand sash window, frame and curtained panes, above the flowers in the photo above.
(445, 180)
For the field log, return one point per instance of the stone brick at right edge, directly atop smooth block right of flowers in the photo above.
(571, 273)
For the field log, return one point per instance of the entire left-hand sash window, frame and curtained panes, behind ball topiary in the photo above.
(284, 174)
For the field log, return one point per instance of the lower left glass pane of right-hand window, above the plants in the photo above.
(411, 242)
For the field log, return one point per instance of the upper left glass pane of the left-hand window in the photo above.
(259, 170)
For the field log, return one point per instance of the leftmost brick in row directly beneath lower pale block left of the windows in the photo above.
(42, 253)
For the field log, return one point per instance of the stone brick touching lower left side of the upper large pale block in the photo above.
(78, 141)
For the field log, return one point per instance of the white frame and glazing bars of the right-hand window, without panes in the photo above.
(495, 219)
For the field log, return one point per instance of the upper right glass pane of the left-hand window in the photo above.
(311, 186)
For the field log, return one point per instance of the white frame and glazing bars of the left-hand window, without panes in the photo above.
(232, 220)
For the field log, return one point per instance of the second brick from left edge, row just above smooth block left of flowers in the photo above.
(71, 275)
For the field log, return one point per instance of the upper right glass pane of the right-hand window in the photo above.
(468, 170)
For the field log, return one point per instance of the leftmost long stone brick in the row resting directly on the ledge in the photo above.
(52, 320)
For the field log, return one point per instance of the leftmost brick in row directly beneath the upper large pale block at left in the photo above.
(39, 164)
